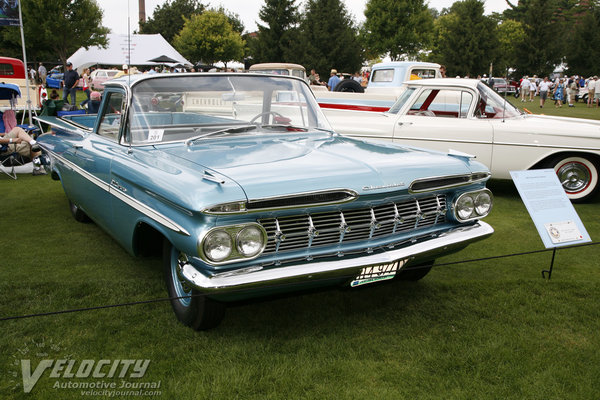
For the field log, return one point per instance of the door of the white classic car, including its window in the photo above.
(444, 118)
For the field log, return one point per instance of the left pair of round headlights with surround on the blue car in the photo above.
(241, 242)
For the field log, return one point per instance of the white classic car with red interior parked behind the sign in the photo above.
(467, 116)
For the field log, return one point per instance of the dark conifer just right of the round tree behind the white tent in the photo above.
(277, 36)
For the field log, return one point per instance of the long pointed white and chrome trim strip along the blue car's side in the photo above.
(136, 204)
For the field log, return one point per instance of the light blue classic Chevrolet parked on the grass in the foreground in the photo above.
(242, 186)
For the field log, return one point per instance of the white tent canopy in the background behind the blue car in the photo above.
(143, 48)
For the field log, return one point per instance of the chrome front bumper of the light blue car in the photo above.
(259, 277)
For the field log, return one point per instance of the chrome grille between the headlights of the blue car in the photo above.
(297, 232)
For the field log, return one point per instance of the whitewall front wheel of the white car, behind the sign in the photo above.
(578, 175)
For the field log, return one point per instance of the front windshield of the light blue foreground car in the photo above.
(195, 106)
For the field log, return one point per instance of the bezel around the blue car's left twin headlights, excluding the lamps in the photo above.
(235, 255)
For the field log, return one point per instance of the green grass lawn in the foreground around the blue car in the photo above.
(481, 330)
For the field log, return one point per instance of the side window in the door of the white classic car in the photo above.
(444, 103)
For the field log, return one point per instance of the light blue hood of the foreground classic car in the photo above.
(269, 166)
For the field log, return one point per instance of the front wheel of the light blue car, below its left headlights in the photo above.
(190, 306)
